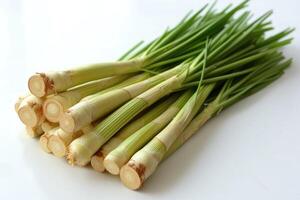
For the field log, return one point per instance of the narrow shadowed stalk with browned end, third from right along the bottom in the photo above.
(139, 122)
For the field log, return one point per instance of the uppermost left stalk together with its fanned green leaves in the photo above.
(174, 42)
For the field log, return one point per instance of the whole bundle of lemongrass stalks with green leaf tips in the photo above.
(127, 116)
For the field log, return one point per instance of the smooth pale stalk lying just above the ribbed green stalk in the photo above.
(87, 111)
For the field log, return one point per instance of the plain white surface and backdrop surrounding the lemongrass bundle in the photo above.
(250, 151)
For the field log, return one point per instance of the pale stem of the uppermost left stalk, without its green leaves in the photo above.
(43, 84)
